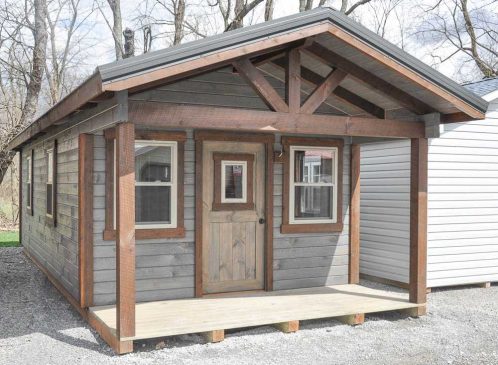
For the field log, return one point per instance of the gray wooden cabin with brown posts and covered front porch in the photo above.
(216, 184)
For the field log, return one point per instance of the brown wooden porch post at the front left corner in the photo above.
(125, 230)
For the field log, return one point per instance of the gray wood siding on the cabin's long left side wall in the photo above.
(57, 248)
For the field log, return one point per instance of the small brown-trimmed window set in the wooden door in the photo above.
(233, 181)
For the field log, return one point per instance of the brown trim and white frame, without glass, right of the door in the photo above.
(318, 226)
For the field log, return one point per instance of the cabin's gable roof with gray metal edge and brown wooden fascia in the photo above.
(204, 54)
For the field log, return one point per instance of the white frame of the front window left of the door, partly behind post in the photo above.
(173, 183)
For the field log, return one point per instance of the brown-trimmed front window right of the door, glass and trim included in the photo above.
(312, 192)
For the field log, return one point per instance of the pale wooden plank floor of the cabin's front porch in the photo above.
(238, 310)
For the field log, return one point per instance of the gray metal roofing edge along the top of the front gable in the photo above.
(195, 49)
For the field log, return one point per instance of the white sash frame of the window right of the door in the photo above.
(293, 184)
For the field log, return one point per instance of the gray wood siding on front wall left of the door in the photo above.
(164, 267)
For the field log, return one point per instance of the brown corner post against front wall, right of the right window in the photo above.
(354, 217)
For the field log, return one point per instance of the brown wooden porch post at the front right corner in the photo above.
(418, 221)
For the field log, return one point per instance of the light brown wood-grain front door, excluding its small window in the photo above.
(233, 249)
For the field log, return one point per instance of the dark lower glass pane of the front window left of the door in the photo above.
(152, 205)
